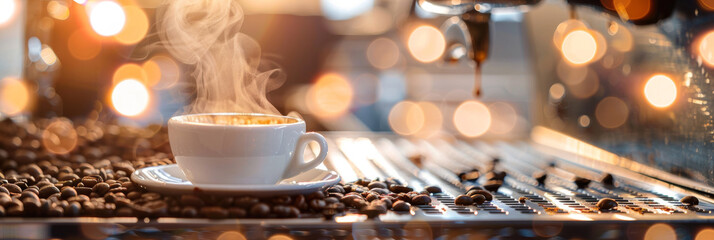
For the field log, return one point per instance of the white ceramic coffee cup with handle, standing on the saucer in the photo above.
(241, 148)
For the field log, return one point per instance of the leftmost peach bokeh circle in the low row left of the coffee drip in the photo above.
(406, 118)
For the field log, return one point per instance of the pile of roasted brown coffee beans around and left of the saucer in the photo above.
(85, 169)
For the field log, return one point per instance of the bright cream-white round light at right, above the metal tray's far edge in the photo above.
(660, 91)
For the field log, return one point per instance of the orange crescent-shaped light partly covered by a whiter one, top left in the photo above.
(137, 24)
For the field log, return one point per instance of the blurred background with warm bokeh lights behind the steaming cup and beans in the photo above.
(628, 76)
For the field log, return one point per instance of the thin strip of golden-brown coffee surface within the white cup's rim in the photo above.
(236, 119)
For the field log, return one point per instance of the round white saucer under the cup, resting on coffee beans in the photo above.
(170, 180)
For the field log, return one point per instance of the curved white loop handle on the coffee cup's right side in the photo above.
(298, 164)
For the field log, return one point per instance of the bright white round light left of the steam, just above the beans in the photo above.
(130, 97)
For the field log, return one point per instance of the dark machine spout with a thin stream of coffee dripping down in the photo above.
(477, 24)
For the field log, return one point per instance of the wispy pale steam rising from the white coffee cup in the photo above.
(226, 63)
